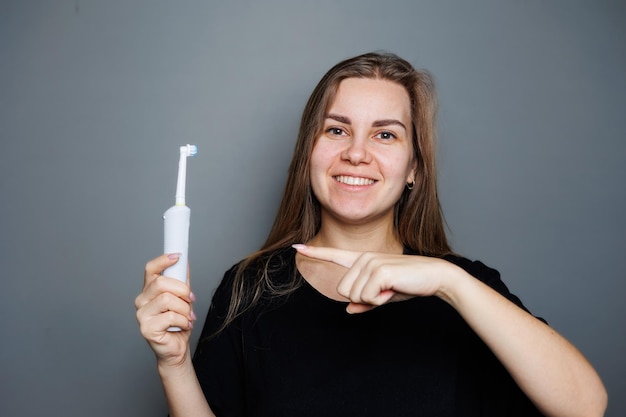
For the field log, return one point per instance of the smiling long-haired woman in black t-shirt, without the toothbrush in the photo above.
(356, 305)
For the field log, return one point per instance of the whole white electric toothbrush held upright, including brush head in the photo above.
(176, 223)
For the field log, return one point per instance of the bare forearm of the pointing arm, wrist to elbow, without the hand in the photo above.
(548, 368)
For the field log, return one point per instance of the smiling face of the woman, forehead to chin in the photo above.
(364, 157)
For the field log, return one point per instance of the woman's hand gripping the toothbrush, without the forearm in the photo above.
(165, 302)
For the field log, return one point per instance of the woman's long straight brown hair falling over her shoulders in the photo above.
(418, 218)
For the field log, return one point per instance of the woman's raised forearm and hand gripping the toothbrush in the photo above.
(166, 302)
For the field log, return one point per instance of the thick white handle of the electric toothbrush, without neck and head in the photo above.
(176, 240)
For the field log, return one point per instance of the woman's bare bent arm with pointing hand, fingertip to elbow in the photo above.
(549, 369)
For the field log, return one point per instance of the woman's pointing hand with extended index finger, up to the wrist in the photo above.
(374, 278)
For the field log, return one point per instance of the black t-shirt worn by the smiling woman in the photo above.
(304, 355)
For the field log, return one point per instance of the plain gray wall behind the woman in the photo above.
(96, 97)
